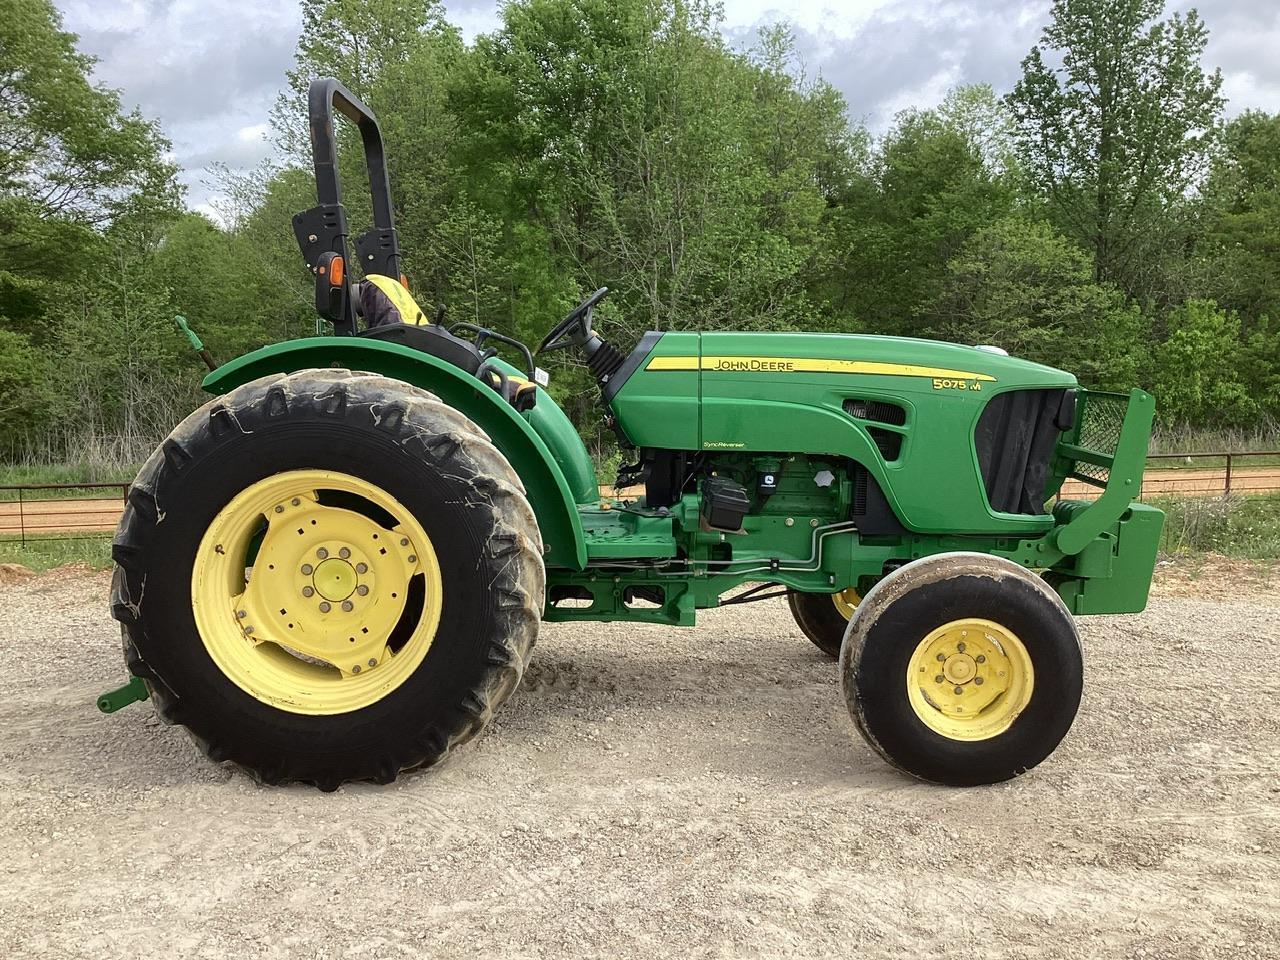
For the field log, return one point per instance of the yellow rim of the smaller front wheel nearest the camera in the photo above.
(970, 680)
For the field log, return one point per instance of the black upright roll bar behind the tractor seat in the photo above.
(323, 230)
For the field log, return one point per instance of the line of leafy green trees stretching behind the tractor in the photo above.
(1100, 217)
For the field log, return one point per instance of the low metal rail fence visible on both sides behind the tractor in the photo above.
(65, 513)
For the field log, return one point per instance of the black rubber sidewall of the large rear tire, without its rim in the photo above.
(412, 725)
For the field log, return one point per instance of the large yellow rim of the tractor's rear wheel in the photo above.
(304, 624)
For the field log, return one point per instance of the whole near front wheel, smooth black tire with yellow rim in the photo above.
(963, 669)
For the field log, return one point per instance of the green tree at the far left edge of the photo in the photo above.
(77, 175)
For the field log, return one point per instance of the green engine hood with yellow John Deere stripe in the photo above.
(904, 409)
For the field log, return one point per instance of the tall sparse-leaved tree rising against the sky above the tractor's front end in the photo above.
(1116, 120)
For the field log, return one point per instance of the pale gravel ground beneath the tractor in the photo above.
(656, 793)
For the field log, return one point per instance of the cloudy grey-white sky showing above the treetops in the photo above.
(209, 71)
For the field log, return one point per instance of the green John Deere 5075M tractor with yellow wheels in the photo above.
(337, 568)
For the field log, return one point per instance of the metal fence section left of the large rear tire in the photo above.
(61, 511)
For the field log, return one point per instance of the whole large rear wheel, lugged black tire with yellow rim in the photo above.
(328, 577)
